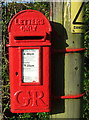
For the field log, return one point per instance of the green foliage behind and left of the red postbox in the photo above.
(8, 11)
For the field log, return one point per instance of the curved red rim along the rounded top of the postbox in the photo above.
(29, 10)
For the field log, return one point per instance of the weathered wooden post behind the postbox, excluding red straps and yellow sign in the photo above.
(67, 68)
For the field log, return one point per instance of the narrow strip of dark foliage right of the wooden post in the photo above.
(86, 68)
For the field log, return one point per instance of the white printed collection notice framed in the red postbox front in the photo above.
(30, 65)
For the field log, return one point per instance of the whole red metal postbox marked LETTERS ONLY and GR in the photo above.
(29, 62)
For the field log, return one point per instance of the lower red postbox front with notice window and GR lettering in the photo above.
(29, 78)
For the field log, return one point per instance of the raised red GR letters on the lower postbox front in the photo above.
(32, 98)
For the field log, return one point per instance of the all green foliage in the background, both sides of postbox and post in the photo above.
(8, 12)
